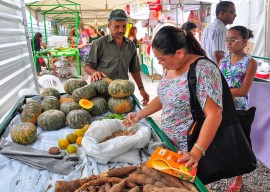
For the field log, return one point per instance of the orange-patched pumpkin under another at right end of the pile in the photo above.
(121, 105)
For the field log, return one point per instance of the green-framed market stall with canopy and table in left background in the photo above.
(65, 14)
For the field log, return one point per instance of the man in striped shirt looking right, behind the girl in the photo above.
(213, 36)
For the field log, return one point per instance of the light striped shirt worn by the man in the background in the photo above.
(213, 38)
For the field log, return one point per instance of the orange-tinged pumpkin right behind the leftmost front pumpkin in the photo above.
(31, 111)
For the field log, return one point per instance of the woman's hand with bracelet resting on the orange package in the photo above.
(191, 158)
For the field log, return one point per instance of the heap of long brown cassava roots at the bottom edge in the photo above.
(129, 178)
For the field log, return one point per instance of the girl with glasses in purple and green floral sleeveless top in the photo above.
(239, 70)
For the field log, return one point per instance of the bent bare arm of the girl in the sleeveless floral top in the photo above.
(248, 80)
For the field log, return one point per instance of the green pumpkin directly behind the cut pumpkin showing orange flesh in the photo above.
(86, 92)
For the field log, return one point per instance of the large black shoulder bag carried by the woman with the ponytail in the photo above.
(229, 154)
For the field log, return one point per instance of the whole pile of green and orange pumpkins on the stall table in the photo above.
(74, 109)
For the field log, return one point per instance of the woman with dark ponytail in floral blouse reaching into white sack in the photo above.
(176, 50)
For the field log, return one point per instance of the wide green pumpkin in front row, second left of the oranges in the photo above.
(51, 120)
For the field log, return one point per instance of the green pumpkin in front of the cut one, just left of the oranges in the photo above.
(78, 118)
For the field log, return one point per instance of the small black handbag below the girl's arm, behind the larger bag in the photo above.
(246, 117)
